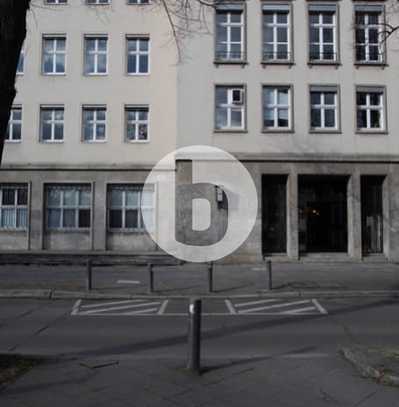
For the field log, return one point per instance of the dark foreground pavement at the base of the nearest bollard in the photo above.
(278, 381)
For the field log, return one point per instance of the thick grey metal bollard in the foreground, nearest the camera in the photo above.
(194, 336)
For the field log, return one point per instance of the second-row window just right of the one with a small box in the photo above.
(276, 107)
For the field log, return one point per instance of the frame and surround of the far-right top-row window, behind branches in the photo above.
(369, 8)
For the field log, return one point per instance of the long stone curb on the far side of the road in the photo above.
(96, 295)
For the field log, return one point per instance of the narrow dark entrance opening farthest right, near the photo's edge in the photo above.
(372, 224)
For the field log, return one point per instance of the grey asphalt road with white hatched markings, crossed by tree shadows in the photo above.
(317, 329)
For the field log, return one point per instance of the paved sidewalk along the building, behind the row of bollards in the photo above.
(191, 279)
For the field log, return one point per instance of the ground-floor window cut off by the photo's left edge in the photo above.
(14, 206)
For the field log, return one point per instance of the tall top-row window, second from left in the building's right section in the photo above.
(276, 33)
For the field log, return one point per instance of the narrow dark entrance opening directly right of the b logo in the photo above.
(274, 214)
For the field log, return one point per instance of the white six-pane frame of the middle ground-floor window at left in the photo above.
(62, 207)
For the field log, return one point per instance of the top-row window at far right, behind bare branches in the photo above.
(369, 34)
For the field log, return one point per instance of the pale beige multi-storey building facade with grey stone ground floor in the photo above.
(303, 93)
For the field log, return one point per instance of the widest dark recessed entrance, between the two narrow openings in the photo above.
(323, 220)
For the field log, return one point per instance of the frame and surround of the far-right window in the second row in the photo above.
(384, 120)
